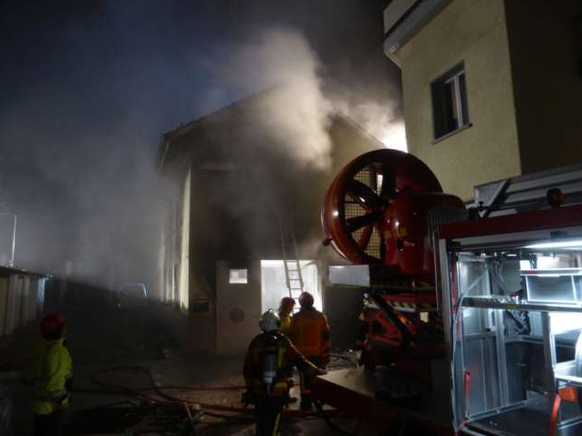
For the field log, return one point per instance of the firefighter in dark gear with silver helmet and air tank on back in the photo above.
(268, 360)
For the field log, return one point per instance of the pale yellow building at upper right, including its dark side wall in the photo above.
(492, 88)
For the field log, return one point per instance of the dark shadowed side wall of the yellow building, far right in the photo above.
(545, 43)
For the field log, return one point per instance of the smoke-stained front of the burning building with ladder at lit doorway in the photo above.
(237, 194)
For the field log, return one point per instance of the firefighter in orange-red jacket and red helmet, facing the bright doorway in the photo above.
(310, 334)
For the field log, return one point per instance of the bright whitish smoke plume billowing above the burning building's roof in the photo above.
(298, 111)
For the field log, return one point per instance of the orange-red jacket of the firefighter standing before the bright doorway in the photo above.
(310, 333)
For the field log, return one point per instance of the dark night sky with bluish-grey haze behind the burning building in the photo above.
(88, 87)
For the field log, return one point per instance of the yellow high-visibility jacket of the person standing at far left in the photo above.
(53, 367)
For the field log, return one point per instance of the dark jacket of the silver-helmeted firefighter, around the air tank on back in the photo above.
(287, 356)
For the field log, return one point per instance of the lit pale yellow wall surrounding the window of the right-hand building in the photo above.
(473, 31)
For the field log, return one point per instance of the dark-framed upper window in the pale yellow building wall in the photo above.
(449, 102)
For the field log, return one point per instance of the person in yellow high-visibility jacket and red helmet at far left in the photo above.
(53, 369)
